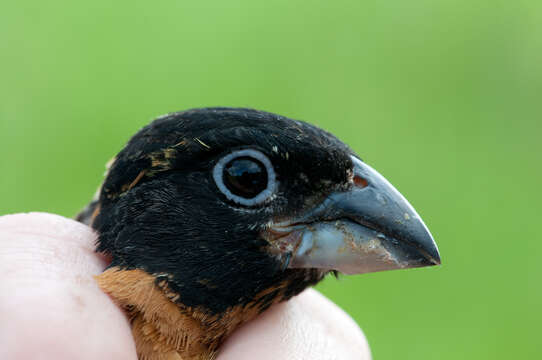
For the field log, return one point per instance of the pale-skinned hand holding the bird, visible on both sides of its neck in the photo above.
(51, 307)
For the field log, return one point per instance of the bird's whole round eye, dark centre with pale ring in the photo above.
(245, 177)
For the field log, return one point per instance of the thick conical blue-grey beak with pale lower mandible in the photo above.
(370, 227)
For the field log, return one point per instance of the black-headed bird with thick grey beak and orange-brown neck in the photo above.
(210, 216)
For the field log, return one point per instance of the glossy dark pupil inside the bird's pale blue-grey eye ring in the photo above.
(245, 177)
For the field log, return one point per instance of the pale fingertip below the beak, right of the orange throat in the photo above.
(308, 326)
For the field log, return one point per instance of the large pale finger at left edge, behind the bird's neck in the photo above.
(50, 304)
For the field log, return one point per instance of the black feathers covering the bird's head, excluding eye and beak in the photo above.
(160, 208)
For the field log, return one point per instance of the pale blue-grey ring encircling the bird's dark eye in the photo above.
(218, 176)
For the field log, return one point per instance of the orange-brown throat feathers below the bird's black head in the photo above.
(162, 327)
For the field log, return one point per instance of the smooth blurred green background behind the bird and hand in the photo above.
(443, 98)
